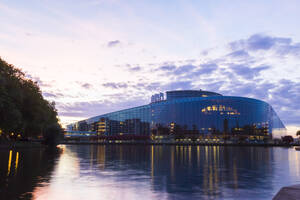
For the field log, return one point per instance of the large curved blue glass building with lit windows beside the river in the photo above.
(189, 112)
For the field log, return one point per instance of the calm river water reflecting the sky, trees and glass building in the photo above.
(147, 172)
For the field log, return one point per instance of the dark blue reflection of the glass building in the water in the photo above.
(186, 169)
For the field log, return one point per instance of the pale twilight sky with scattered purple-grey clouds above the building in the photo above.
(96, 56)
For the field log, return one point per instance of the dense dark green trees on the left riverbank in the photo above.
(24, 113)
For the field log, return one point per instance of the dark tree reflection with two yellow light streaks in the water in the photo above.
(23, 170)
